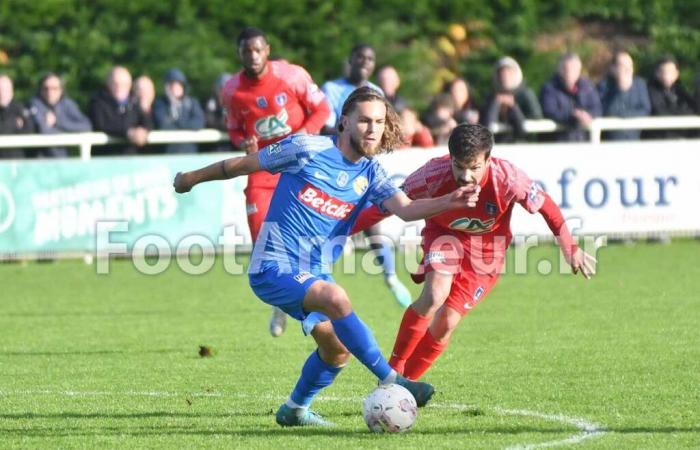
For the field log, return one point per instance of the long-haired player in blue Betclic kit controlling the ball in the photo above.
(324, 185)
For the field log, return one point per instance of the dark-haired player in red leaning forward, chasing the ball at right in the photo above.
(464, 250)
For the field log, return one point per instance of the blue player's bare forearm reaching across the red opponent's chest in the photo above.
(408, 210)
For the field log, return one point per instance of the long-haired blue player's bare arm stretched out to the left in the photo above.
(222, 170)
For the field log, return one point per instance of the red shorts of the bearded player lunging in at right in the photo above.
(473, 277)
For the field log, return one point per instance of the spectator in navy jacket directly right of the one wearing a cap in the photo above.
(569, 99)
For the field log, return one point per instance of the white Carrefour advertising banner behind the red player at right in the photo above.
(620, 189)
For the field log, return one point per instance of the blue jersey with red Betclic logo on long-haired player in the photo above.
(316, 202)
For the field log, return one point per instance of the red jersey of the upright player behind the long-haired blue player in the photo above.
(280, 103)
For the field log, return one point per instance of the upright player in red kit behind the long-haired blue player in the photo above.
(265, 102)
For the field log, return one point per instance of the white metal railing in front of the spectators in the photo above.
(85, 141)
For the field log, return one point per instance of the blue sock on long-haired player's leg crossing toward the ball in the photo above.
(358, 339)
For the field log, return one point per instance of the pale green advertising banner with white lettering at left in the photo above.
(54, 206)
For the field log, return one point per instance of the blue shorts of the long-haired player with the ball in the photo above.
(286, 290)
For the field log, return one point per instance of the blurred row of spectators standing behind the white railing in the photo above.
(130, 108)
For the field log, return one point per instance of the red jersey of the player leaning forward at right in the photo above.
(487, 225)
